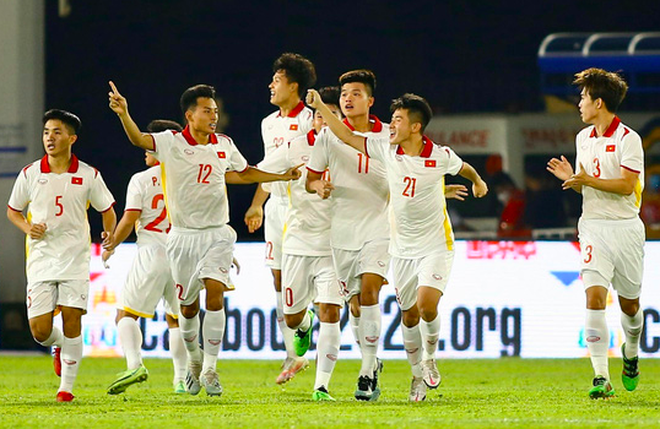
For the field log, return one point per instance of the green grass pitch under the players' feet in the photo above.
(504, 393)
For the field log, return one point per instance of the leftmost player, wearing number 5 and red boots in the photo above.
(56, 191)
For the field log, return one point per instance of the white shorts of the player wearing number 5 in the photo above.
(46, 296)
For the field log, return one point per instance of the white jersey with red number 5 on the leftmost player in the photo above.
(60, 201)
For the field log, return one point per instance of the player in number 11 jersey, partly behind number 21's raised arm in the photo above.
(360, 226)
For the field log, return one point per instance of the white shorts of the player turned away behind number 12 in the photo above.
(149, 280)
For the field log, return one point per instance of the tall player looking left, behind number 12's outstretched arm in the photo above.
(293, 74)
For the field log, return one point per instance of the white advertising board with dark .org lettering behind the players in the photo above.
(504, 299)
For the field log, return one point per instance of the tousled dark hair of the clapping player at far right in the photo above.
(599, 83)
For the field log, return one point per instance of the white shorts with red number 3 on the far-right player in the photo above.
(612, 252)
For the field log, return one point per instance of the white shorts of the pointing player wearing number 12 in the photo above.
(195, 255)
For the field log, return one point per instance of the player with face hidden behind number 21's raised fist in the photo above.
(308, 274)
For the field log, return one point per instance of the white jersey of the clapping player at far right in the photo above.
(603, 157)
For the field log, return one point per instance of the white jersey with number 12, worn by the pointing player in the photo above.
(193, 177)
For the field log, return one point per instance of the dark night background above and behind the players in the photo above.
(462, 56)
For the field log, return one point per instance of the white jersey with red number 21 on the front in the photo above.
(420, 224)
